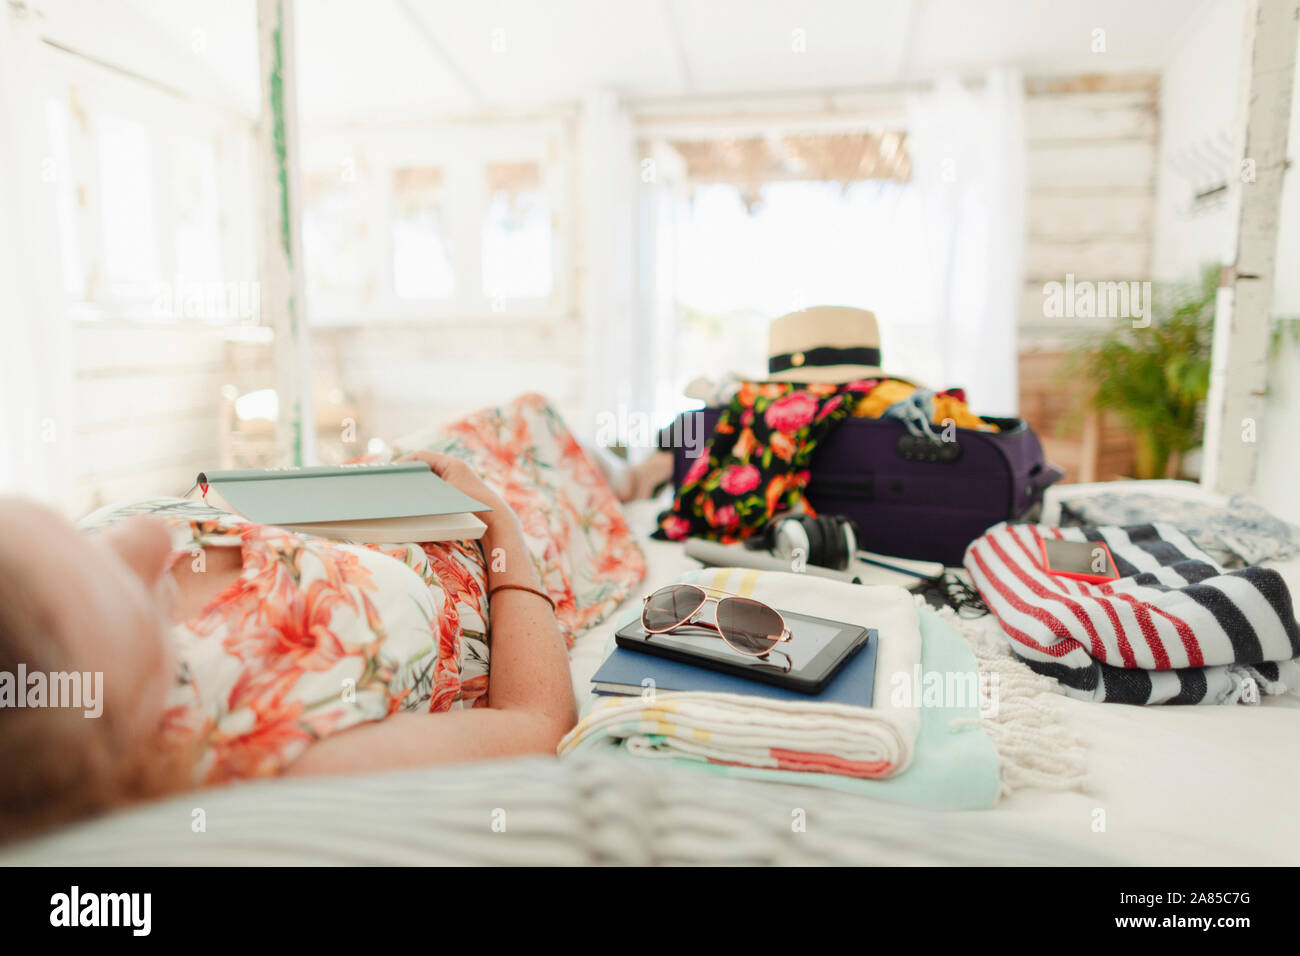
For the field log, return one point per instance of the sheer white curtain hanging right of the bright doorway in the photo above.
(968, 154)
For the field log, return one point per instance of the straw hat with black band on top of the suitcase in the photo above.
(825, 344)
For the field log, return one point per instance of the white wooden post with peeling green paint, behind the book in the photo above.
(281, 246)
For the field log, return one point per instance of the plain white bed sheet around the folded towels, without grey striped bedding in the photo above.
(1167, 786)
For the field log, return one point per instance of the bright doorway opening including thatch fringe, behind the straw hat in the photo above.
(744, 230)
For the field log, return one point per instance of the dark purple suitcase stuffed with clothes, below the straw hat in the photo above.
(913, 498)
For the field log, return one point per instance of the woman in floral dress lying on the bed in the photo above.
(231, 650)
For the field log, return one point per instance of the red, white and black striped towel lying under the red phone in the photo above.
(1175, 629)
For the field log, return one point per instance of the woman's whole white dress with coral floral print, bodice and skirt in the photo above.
(317, 637)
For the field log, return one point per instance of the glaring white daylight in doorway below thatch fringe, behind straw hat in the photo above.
(799, 245)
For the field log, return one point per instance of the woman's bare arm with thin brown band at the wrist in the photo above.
(530, 694)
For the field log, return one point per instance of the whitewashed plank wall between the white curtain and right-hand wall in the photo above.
(1090, 214)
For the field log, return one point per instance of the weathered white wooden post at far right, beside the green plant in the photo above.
(1245, 310)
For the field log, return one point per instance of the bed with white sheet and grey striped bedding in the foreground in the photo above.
(1165, 786)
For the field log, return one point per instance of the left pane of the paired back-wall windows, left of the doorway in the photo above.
(422, 254)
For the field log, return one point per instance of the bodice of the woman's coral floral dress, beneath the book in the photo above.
(315, 637)
